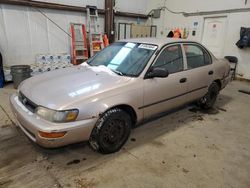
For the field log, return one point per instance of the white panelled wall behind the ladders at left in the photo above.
(26, 33)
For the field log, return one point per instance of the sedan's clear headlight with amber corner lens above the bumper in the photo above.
(57, 116)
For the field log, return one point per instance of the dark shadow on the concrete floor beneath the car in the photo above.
(80, 156)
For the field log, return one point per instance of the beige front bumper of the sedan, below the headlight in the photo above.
(30, 124)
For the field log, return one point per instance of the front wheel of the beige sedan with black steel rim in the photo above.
(111, 131)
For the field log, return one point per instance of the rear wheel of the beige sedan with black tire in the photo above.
(209, 99)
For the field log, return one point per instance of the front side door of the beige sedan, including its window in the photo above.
(161, 94)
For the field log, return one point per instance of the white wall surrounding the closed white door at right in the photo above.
(169, 21)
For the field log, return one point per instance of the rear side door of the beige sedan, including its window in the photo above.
(199, 70)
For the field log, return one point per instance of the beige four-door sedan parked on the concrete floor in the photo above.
(122, 85)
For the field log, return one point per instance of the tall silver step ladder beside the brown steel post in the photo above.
(93, 28)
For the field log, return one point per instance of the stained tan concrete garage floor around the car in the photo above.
(187, 148)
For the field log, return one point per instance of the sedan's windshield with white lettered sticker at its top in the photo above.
(124, 58)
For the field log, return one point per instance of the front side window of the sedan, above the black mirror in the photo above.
(171, 59)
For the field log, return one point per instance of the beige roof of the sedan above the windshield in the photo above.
(156, 41)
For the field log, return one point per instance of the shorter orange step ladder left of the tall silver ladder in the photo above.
(79, 48)
